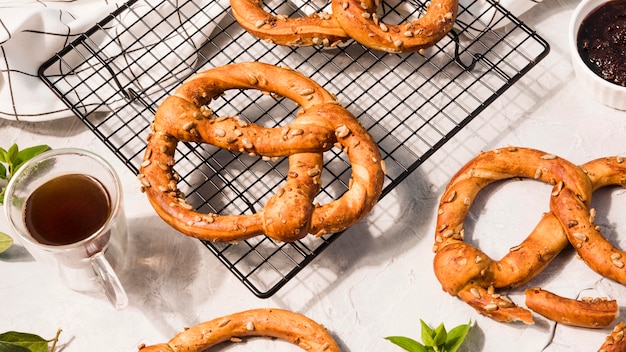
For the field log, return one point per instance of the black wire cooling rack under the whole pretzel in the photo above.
(115, 75)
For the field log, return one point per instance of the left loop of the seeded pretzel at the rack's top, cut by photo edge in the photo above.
(321, 29)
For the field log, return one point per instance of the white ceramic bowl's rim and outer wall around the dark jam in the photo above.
(608, 93)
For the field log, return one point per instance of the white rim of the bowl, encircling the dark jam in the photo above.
(582, 10)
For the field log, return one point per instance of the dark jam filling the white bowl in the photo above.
(602, 41)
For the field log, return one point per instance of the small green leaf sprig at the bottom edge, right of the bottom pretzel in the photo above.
(437, 340)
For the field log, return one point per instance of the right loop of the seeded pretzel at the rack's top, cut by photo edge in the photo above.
(361, 21)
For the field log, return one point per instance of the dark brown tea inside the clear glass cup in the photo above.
(66, 209)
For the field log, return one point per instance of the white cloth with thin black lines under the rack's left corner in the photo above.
(32, 31)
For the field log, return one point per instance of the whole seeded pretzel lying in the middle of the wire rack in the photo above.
(290, 213)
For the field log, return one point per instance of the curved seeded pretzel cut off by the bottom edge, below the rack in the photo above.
(282, 324)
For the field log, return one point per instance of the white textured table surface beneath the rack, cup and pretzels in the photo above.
(377, 279)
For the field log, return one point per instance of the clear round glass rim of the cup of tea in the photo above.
(115, 209)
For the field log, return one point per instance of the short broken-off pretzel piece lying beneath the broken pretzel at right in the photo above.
(587, 313)
